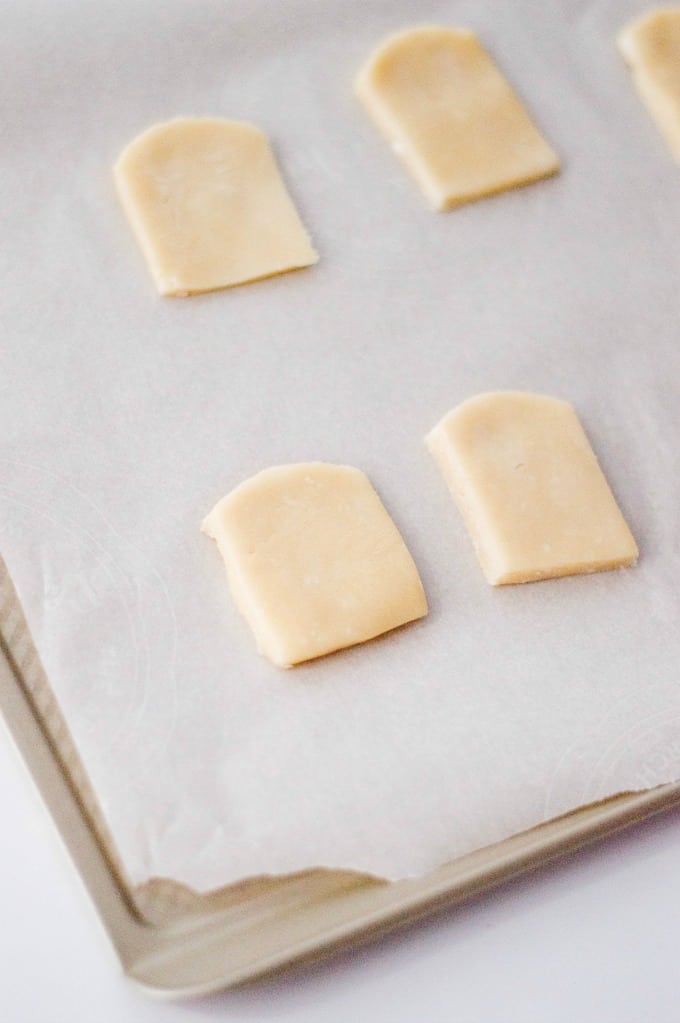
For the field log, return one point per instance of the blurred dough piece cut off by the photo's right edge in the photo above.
(651, 46)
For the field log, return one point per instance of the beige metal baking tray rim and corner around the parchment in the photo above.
(176, 944)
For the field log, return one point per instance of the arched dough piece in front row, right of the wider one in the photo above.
(530, 490)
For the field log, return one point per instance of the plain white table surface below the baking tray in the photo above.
(593, 939)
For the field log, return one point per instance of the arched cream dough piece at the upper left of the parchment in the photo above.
(208, 206)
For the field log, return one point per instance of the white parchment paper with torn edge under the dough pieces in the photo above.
(125, 417)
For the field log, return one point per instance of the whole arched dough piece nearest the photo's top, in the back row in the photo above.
(438, 98)
